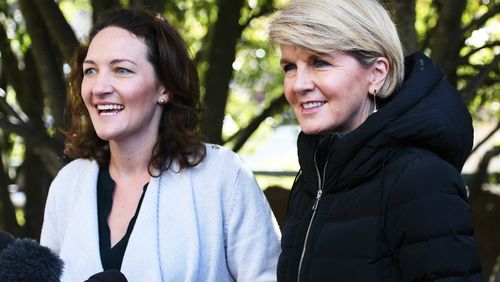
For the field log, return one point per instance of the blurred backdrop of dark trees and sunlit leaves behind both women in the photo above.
(239, 71)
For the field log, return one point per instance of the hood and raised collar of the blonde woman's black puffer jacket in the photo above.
(426, 112)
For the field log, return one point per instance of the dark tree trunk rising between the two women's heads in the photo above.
(227, 31)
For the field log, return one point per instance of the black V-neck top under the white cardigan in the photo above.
(111, 258)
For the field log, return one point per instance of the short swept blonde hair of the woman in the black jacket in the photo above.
(362, 28)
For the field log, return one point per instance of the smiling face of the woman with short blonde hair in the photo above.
(328, 93)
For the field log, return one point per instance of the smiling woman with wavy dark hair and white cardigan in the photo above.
(145, 195)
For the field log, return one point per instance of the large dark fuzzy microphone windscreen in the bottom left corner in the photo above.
(26, 260)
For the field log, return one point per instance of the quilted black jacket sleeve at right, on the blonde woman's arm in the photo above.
(429, 223)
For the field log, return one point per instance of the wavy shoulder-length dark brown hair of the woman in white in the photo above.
(178, 134)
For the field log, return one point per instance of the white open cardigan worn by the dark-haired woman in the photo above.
(208, 223)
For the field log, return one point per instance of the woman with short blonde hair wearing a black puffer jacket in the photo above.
(379, 195)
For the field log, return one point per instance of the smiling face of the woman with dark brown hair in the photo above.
(120, 88)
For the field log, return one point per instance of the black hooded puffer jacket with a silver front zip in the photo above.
(392, 206)
